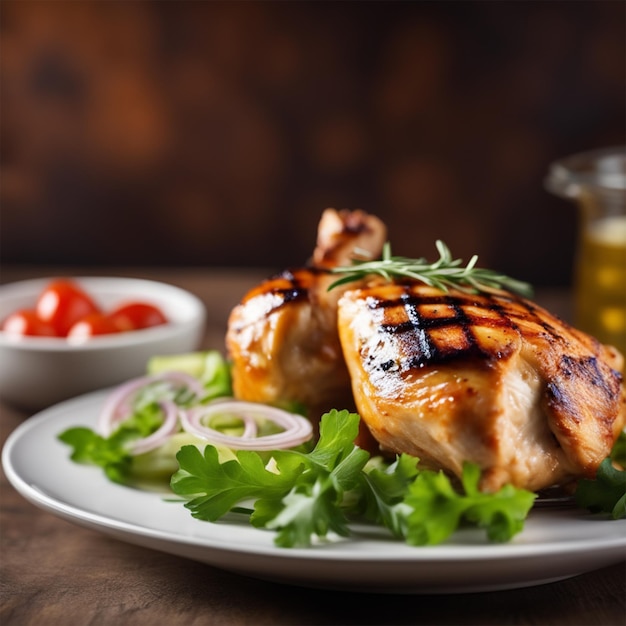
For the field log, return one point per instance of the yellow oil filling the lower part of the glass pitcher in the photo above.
(600, 307)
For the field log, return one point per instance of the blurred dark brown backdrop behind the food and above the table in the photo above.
(215, 133)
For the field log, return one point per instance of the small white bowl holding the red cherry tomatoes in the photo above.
(36, 372)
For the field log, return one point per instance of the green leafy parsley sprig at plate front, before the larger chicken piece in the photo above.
(304, 496)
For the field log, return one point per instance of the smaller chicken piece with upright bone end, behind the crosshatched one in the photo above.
(282, 338)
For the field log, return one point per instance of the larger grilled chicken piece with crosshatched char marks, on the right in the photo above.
(492, 379)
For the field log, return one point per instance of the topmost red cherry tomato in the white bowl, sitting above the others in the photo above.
(62, 303)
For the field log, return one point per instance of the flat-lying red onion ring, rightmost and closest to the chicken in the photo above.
(297, 429)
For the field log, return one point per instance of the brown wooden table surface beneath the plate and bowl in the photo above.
(56, 573)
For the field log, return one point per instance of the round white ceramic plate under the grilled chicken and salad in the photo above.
(555, 544)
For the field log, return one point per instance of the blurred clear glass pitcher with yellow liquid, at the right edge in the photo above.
(596, 182)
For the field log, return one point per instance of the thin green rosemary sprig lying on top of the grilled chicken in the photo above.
(443, 274)
